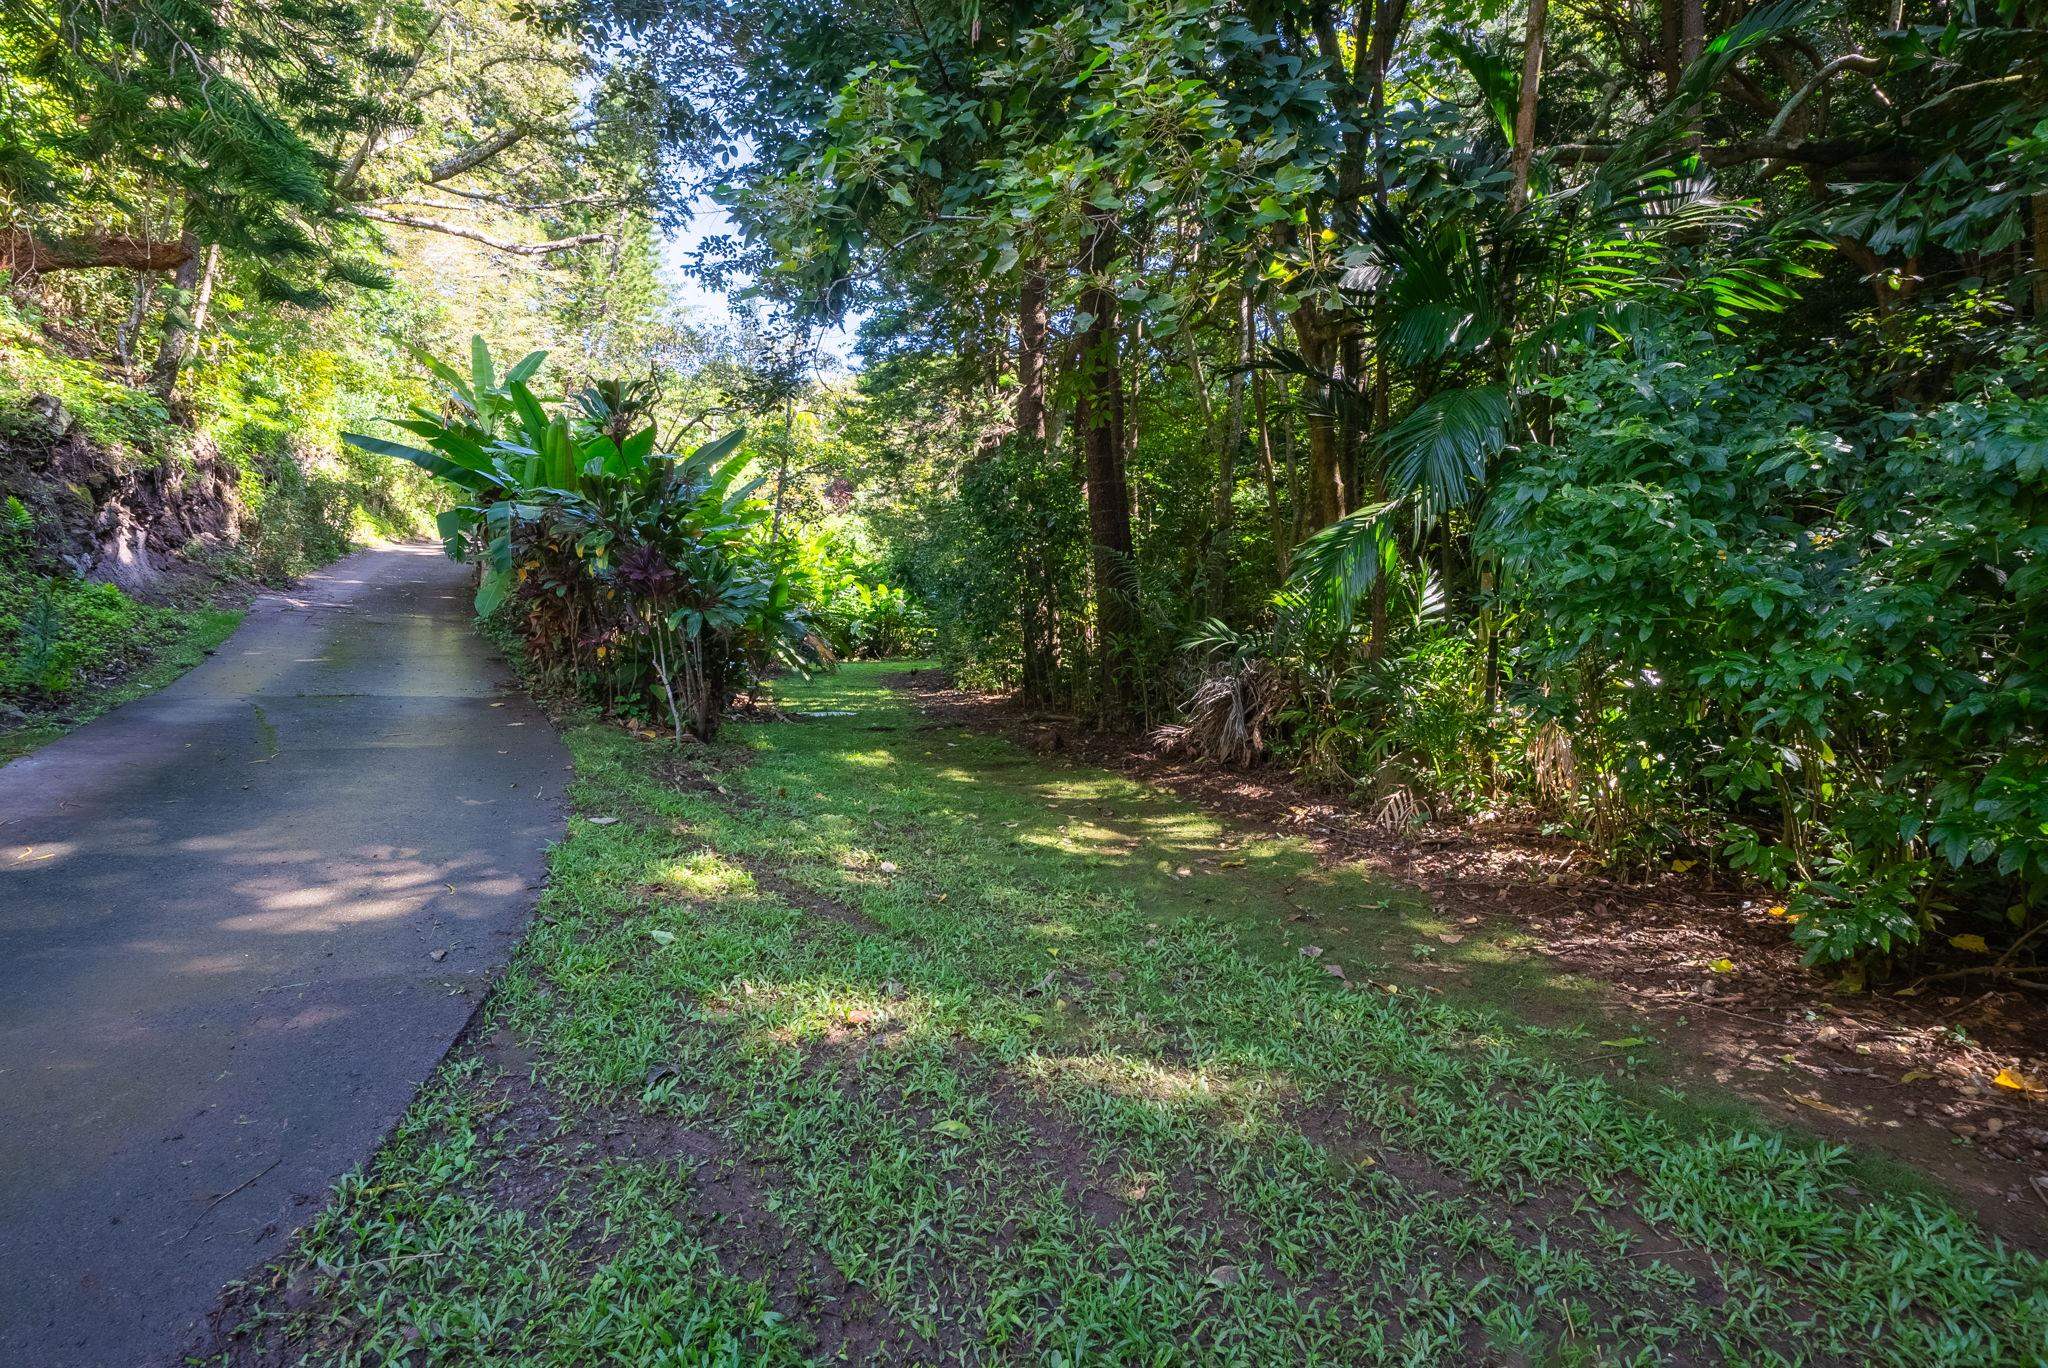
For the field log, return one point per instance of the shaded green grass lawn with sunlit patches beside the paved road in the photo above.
(865, 1039)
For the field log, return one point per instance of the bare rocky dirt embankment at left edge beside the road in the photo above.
(105, 513)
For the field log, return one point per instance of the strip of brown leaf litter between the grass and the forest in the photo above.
(1906, 1070)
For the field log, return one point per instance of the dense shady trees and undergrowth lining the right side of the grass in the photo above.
(1631, 417)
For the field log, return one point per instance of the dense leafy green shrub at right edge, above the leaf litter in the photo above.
(1799, 624)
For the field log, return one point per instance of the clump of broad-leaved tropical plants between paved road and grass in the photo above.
(634, 574)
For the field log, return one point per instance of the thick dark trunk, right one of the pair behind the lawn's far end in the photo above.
(1101, 421)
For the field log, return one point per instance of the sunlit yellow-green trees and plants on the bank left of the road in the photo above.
(222, 226)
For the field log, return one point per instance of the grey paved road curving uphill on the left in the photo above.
(220, 910)
